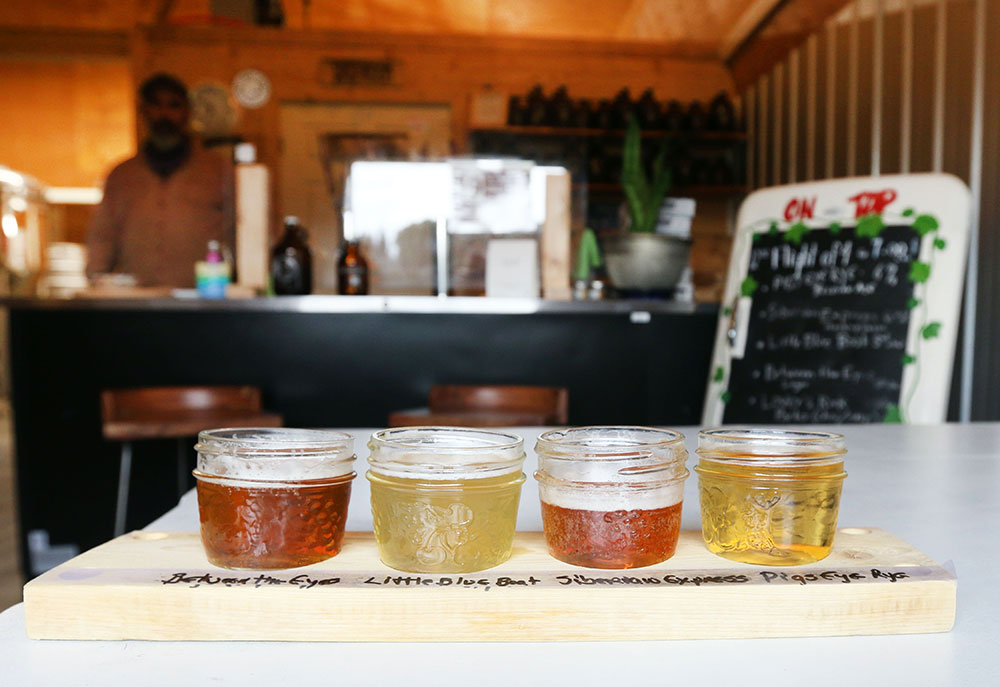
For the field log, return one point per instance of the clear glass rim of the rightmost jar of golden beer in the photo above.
(770, 443)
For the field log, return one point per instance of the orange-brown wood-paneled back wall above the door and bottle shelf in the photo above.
(441, 69)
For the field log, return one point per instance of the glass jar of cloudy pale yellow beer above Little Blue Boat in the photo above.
(444, 499)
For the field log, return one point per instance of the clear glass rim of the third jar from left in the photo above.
(600, 443)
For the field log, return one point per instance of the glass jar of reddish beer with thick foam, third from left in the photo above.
(611, 496)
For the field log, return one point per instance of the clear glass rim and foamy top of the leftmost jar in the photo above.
(274, 454)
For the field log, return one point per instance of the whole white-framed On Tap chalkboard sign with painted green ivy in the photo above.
(842, 303)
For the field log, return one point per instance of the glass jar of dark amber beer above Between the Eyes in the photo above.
(273, 498)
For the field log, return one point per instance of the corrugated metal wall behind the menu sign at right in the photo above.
(891, 86)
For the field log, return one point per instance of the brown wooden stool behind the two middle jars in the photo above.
(488, 406)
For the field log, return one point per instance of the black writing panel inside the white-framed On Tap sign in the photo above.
(827, 330)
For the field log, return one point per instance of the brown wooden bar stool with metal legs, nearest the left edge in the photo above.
(174, 413)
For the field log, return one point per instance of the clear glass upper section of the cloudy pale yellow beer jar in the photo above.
(445, 453)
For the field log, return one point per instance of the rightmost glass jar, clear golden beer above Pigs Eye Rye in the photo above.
(770, 496)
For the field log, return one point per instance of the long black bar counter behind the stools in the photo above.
(321, 361)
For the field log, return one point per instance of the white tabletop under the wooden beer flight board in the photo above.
(937, 487)
